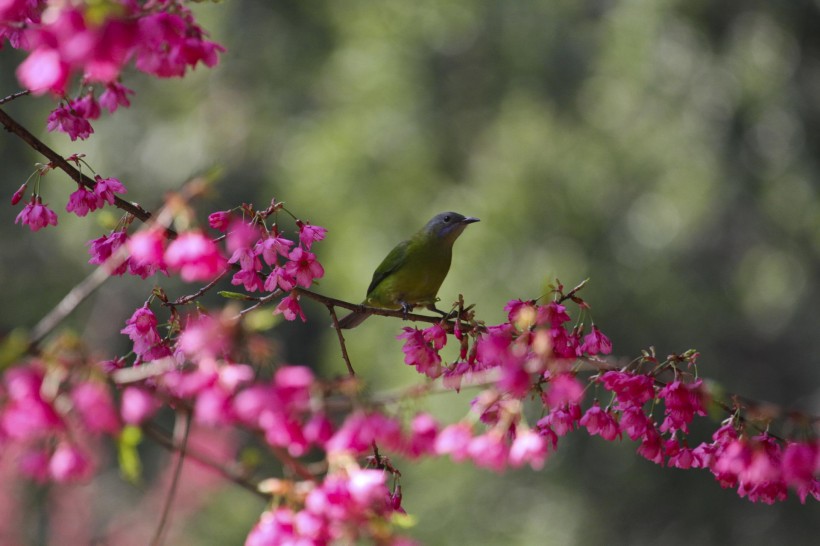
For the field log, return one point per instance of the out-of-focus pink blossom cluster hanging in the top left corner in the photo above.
(97, 42)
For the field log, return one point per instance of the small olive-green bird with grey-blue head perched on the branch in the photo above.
(413, 271)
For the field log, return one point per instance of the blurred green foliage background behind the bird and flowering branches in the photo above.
(665, 149)
